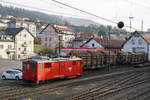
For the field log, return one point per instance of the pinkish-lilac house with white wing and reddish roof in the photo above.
(52, 34)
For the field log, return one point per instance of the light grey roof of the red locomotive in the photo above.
(51, 59)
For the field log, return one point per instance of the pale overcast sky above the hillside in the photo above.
(115, 10)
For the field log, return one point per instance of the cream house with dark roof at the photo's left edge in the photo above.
(16, 43)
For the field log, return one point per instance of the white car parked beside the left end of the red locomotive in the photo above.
(12, 74)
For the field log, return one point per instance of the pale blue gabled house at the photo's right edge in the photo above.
(138, 42)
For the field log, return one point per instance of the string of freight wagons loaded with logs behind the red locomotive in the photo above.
(101, 58)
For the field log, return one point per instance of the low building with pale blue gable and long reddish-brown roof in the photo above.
(112, 45)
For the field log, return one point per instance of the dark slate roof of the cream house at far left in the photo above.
(11, 31)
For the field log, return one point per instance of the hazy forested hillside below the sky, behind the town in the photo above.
(78, 25)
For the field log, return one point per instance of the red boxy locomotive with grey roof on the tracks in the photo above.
(37, 70)
